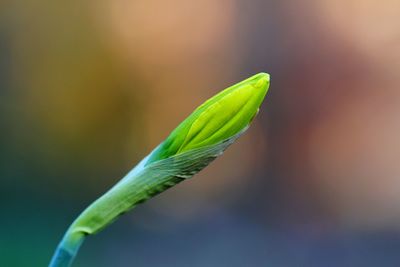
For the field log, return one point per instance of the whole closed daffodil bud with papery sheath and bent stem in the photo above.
(197, 141)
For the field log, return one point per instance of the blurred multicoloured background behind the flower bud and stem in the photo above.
(88, 88)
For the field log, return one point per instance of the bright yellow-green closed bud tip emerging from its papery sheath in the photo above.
(219, 118)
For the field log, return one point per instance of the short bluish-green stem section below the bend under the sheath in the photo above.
(67, 249)
